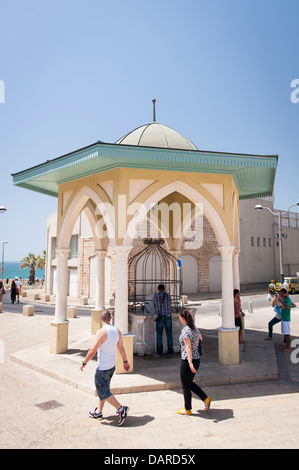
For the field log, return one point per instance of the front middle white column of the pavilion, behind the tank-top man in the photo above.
(121, 287)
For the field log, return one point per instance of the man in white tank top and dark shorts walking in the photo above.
(107, 339)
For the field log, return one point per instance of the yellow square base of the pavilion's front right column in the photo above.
(228, 346)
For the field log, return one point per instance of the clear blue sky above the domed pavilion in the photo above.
(77, 72)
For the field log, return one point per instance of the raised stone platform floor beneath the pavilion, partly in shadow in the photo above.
(257, 363)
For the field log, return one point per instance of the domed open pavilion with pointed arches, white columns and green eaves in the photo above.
(116, 184)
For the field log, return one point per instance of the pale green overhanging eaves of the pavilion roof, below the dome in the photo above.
(100, 157)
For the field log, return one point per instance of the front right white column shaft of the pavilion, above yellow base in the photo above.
(228, 318)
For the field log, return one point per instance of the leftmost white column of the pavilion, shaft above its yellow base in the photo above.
(62, 285)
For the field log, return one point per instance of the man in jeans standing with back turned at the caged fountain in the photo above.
(162, 303)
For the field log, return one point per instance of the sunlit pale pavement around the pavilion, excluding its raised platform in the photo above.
(243, 415)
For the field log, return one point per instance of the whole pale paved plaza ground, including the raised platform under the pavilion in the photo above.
(45, 398)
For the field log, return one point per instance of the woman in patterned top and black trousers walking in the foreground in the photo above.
(190, 361)
